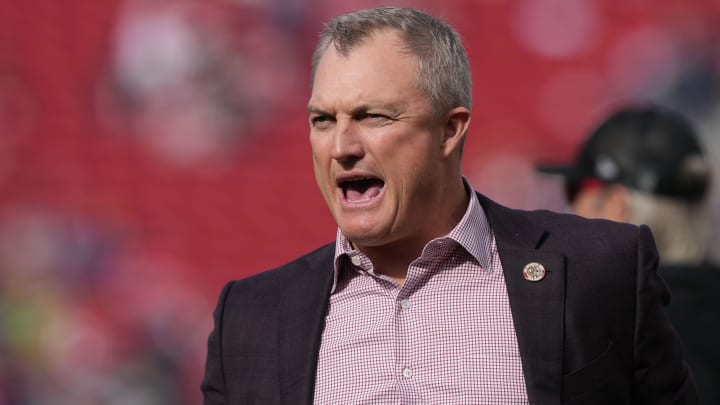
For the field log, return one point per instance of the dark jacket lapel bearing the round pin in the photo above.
(537, 307)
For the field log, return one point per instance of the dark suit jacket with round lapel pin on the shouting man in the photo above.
(593, 331)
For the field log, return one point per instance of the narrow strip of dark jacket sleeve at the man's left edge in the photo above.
(213, 384)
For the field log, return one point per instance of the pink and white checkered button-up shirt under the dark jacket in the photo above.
(444, 337)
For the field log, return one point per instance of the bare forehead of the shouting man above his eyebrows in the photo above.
(381, 65)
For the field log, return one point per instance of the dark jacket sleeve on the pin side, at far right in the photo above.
(660, 373)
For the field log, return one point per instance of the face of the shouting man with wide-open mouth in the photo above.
(381, 156)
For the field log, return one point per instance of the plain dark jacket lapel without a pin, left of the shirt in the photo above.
(302, 317)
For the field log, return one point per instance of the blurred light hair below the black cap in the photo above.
(680, 227)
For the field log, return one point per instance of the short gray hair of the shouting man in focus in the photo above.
(443, 68)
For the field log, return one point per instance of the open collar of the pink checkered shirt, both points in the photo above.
(472, 233)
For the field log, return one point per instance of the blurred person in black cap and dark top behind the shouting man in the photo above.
(644, 165)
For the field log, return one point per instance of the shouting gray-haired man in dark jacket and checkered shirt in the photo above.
(431, 292)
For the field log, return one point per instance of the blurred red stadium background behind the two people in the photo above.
(152, 150)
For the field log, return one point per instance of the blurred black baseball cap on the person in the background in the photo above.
(647, 148)
